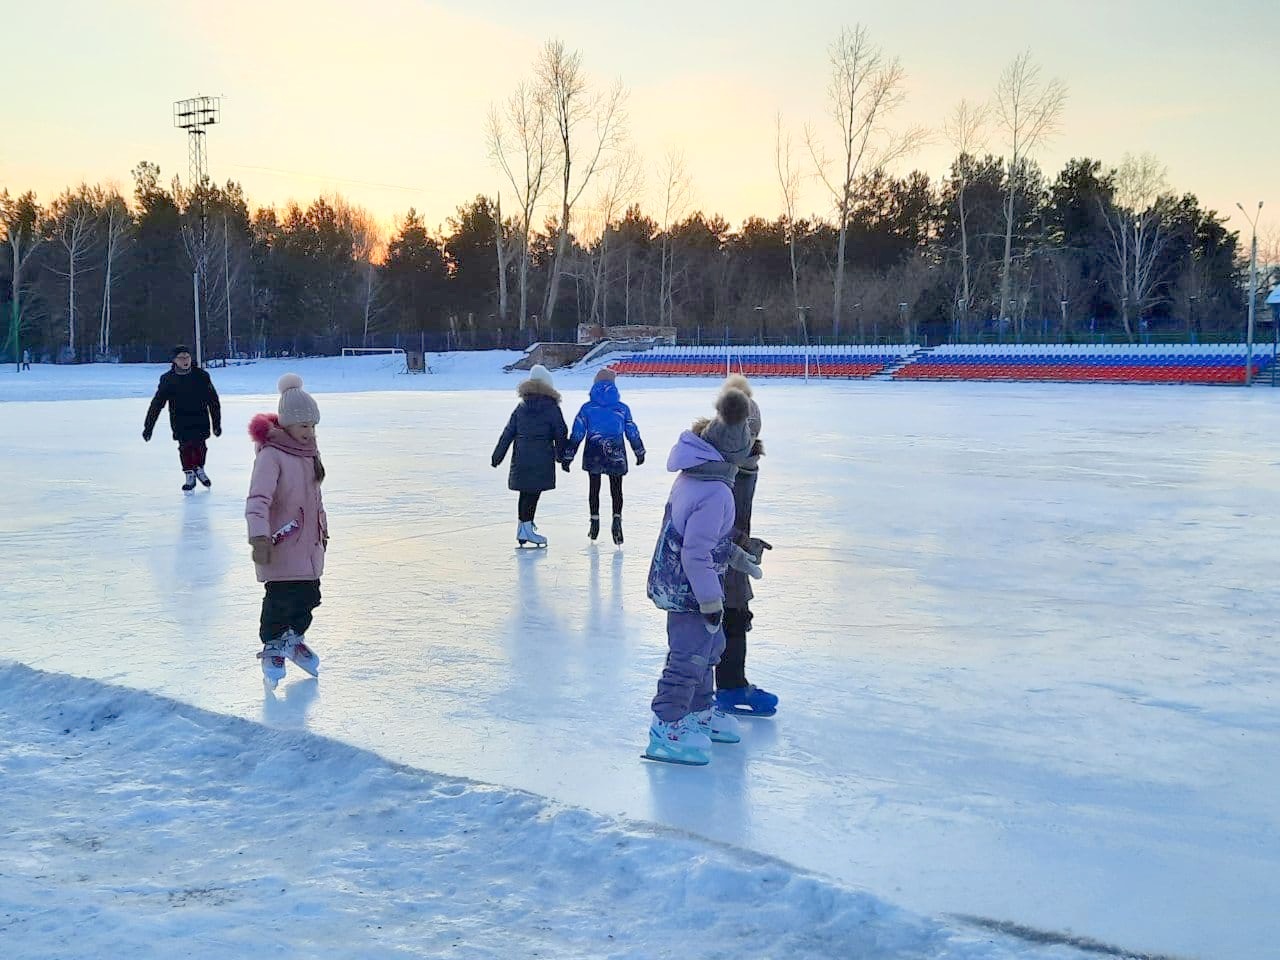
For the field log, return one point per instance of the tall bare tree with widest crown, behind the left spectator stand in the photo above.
(866, 89)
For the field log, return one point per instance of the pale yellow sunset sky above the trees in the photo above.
(386, 100)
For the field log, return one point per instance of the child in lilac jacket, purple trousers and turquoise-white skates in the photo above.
(687, 579)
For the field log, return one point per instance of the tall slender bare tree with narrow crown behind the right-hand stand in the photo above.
(1028, 111)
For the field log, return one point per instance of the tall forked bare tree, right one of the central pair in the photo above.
(574, 107)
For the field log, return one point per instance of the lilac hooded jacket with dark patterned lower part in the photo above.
(693, 550)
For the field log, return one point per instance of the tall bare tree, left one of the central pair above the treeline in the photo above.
(522, 144)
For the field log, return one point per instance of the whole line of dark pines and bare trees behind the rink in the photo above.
(994, 249)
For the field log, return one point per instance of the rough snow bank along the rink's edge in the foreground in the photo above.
(141, 828)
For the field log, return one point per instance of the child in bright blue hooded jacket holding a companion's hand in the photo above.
(605, 422)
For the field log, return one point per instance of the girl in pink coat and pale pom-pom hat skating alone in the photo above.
(287, 528)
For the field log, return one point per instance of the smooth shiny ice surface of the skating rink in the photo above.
(1023, 634)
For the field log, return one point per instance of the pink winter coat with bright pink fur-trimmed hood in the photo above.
(284, 491)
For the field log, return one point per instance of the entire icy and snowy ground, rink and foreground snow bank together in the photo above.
(1023, 638)
